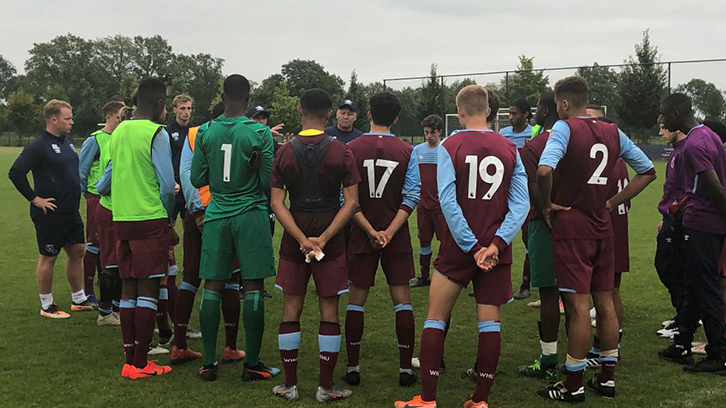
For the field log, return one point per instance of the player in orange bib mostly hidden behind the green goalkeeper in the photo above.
(197, 200)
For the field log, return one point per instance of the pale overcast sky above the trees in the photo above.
(383, 39)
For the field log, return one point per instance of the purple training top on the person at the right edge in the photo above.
(703, 151)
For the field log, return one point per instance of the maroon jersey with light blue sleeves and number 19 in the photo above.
(483, 194)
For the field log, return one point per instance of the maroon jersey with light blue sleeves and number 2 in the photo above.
(584, 151)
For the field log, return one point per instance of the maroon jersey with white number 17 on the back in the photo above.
(389, 182)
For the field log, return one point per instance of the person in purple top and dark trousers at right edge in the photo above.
(704, 227)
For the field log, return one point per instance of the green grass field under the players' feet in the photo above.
(74, 363)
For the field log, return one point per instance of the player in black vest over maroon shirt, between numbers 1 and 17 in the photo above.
(313, 167)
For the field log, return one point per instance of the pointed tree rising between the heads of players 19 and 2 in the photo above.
(524, 83)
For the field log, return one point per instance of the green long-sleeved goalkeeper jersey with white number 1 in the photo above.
(234, 157)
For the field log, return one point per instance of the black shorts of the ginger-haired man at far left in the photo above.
(56, 230)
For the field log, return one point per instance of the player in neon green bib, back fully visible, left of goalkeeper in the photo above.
(142, 186)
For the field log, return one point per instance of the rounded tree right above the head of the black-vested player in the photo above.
(302, 75)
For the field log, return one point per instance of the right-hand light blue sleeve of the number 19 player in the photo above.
(518, 203)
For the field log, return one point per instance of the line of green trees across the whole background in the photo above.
(88, 73)
